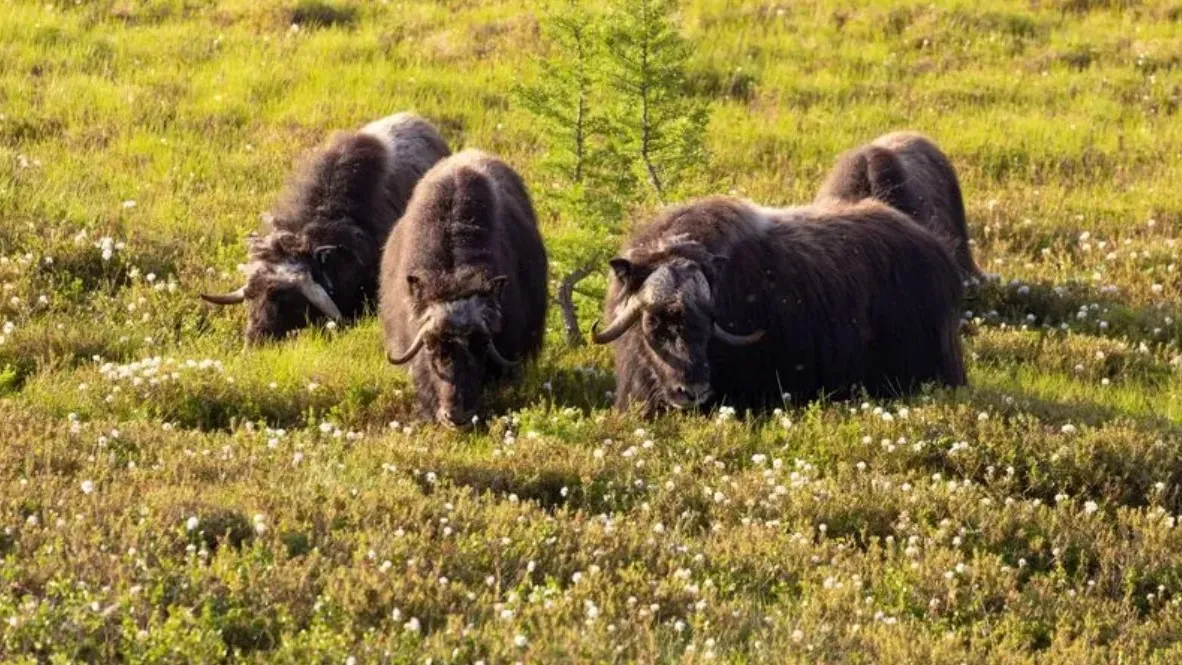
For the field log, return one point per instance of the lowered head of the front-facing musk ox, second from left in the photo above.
(457, 322)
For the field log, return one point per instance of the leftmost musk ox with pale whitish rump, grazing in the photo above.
(322, 253)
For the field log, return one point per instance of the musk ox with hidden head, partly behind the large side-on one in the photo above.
(910, 173)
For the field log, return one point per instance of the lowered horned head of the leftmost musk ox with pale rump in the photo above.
(291, 283)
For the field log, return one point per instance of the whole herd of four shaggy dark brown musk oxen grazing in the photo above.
(717, 302)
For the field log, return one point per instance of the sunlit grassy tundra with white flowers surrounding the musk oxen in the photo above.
(170, 497)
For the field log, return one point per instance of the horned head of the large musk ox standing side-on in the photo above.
(671, 295)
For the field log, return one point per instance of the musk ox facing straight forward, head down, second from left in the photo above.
(464, 284)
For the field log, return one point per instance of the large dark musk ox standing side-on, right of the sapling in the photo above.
(728, 303)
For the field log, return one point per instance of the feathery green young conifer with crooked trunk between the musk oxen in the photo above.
(613, 108)
